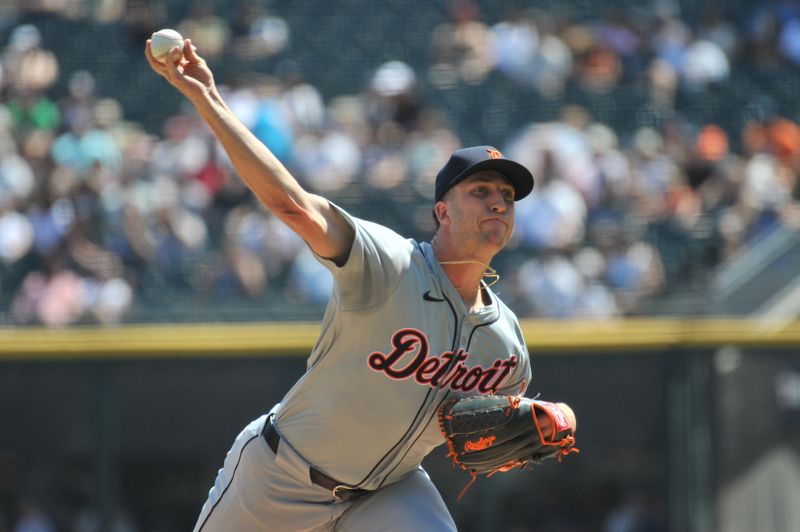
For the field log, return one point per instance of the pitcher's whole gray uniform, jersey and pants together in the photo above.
(396, 341)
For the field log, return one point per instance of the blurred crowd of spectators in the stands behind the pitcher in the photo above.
(104, 221)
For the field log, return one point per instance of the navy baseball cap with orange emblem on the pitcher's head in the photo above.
(466, 161)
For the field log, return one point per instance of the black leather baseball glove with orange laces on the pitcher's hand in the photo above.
(490, 433)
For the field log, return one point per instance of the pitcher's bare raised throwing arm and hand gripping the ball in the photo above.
(311, 216)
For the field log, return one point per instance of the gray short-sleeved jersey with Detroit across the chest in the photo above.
(396, 340)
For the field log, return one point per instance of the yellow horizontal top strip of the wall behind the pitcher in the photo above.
(297, 338)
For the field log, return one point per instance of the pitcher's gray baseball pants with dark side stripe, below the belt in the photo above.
(257, 490)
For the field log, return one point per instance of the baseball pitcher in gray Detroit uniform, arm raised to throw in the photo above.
(415, 351)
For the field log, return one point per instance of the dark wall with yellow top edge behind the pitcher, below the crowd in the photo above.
(679, 424)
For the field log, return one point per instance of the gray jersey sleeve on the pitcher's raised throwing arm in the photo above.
(376, 263)
